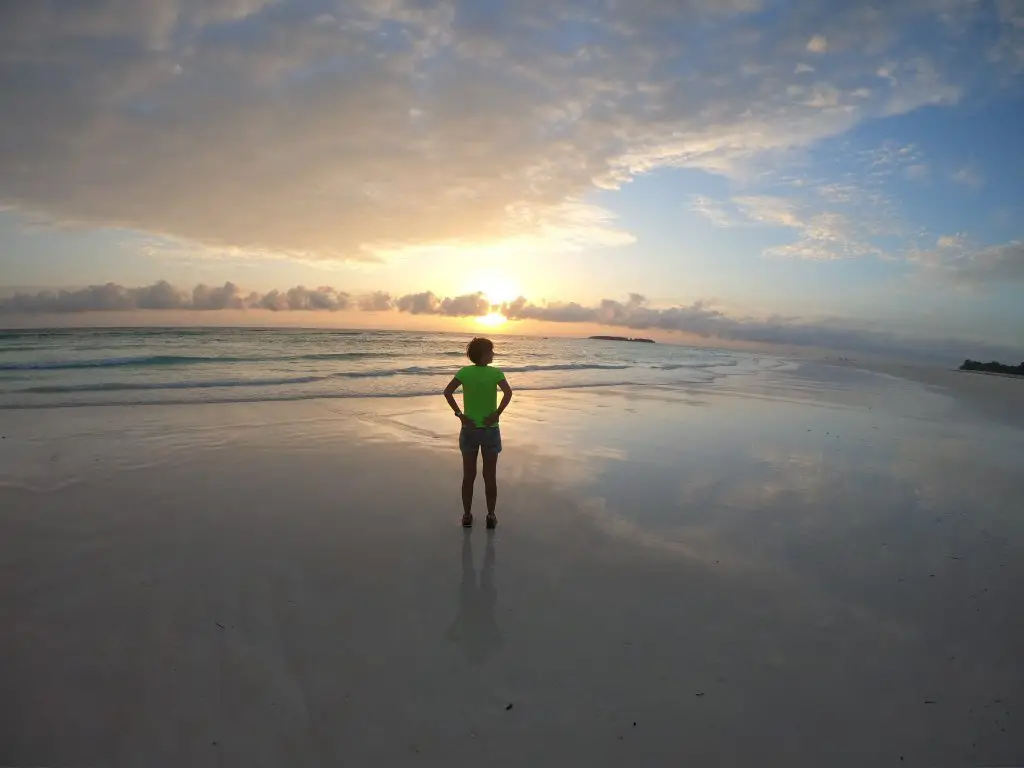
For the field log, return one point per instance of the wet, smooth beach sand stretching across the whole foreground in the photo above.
(817, 567)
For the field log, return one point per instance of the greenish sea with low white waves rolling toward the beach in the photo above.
(103, 367)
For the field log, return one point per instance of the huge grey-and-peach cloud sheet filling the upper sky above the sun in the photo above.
(347, 130)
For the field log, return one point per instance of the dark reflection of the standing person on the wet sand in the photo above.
(476, 629)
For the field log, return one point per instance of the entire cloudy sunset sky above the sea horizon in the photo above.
(822, 175)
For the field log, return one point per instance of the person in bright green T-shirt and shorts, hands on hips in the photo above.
(480, 416)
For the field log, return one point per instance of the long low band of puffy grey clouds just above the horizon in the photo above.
(700, 319)
